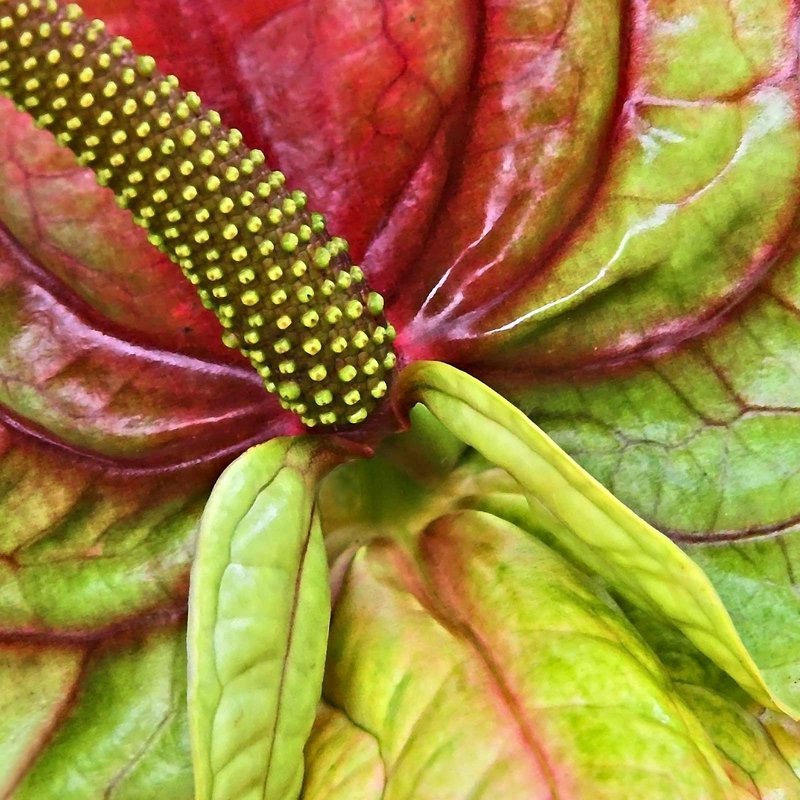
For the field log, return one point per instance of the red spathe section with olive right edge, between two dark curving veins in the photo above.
(545, 93)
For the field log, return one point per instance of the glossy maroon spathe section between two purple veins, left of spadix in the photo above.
(100, 393)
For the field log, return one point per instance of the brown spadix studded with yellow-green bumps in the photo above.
(283, 289)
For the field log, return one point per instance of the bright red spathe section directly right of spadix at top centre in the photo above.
(367, 92)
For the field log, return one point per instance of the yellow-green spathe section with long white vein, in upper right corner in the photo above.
(714, 170)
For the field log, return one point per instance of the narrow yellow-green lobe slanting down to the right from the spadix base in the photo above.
(596, 529)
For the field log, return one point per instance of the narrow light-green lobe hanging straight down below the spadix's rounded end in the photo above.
(258, 622)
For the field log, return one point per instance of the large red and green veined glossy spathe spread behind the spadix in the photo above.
(590, 204)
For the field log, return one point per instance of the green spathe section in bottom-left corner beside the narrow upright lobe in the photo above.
(120, 732)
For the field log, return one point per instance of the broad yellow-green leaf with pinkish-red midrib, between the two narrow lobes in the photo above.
(561, 699)
